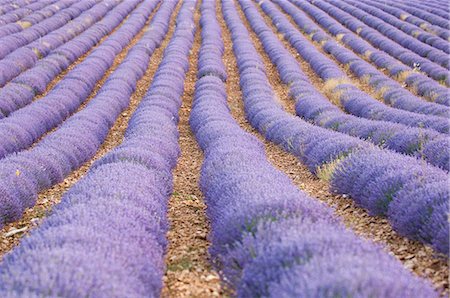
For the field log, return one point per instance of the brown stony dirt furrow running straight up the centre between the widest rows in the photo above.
(189, 273)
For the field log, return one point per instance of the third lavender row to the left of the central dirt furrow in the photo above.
(26, 125)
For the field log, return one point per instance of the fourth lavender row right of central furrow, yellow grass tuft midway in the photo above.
(348, 96)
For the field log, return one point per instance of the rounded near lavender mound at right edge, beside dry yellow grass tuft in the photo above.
(414, 197)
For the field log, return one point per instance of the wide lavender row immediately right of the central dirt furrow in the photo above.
(268, 238)
